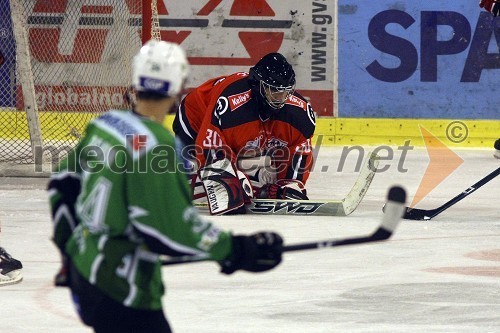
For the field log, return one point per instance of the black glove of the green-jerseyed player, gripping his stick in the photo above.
(255, 253)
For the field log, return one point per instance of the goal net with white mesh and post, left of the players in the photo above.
(62, 63)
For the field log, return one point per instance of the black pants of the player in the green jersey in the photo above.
(106, 315)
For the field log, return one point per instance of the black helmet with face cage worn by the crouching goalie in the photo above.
(273, 79)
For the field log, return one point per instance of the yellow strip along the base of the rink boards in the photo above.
(333, 131)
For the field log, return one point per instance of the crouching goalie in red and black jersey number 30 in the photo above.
(250, 134)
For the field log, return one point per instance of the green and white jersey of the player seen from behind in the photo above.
(134, 204)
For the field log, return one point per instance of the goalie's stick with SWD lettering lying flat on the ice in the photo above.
(342, 207)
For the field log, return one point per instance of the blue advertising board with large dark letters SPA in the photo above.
(418, 59)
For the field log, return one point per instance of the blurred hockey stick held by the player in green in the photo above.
(394, 209)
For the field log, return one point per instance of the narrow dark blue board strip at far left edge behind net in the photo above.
(7, 57)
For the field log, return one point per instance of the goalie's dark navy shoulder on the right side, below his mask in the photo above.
(299, 113)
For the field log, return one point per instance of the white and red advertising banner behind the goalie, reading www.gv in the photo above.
(222, 37)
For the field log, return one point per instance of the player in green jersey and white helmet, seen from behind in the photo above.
(119, 200)
